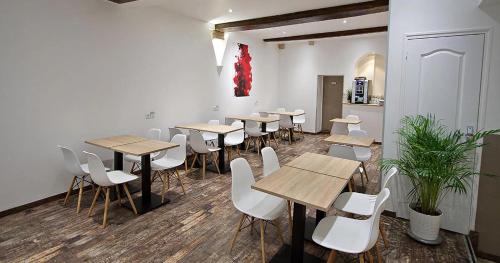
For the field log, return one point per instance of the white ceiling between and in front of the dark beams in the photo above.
(217, 11)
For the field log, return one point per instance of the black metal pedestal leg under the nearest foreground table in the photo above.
(295, 253)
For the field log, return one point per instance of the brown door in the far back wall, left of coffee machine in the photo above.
(332, 96)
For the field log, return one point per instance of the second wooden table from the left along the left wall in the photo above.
(221, 131)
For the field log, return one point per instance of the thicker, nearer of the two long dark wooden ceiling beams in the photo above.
(329, 13)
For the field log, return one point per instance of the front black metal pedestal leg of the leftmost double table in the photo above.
(147, 201)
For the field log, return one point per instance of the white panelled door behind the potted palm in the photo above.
(443, 77)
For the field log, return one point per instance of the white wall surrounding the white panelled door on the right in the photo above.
(418, 16)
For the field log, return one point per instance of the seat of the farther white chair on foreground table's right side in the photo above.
(356, 203)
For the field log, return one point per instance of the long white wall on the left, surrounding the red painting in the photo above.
(80, 69)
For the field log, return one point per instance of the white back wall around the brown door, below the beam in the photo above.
(300, 64)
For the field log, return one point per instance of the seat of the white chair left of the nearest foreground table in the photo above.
(262, 205)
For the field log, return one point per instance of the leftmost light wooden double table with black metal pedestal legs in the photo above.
(138, 146)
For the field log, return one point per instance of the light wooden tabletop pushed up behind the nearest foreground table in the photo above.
(324, 164)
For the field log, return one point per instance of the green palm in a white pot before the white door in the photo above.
(436, 161)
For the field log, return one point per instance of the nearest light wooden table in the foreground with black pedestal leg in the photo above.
(304, 188)
